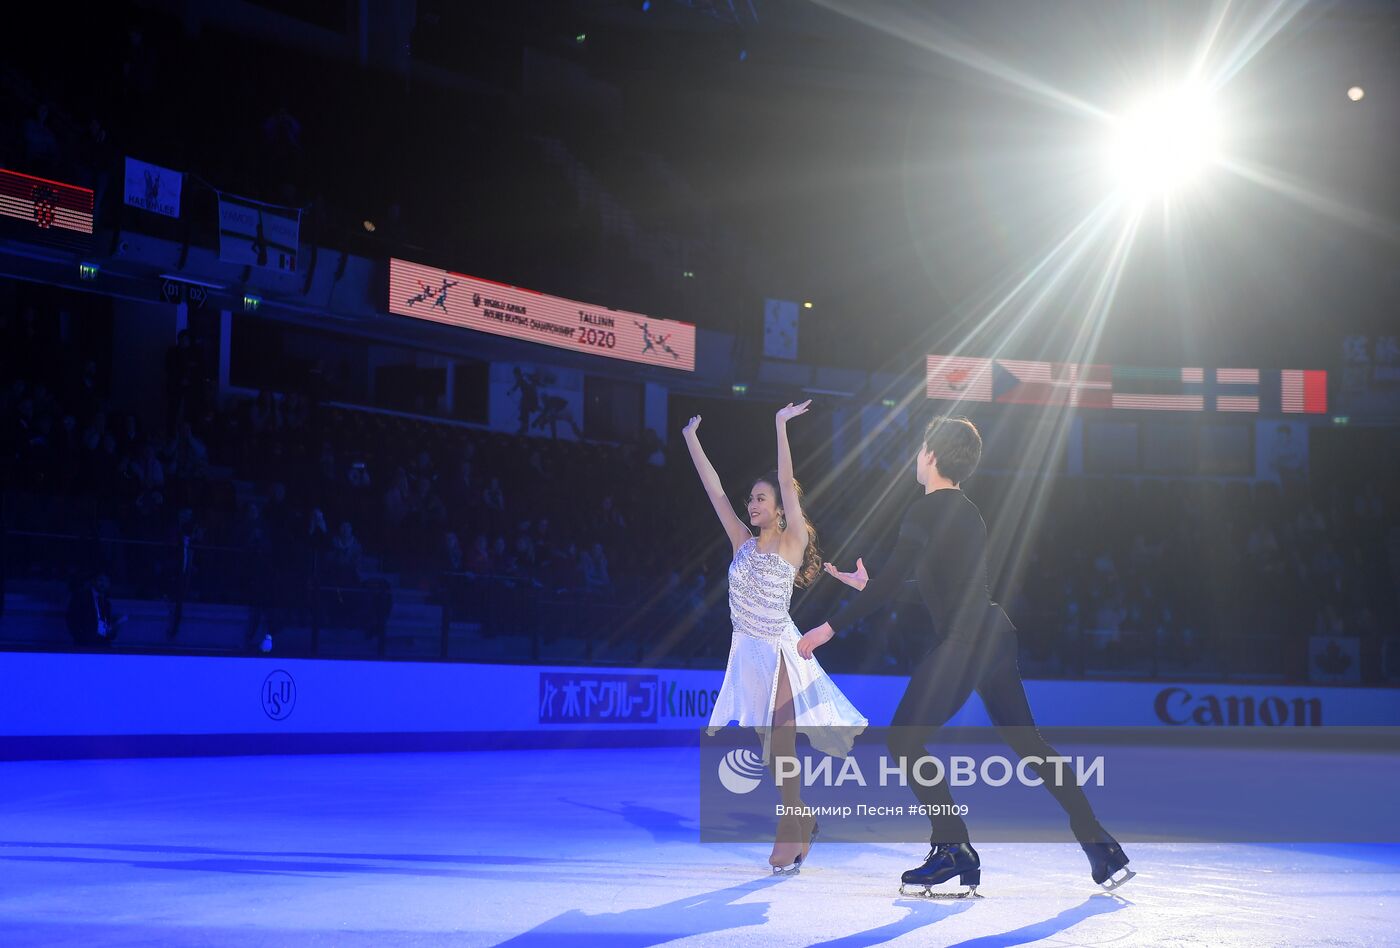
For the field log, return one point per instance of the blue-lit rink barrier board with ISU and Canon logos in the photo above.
(122, 705)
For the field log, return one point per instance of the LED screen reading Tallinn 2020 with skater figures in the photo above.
(460, 300)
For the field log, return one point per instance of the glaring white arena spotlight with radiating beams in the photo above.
(1164, 144)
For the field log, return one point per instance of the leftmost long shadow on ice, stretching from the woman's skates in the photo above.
(694, 915)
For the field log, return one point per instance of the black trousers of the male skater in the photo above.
(941, 684)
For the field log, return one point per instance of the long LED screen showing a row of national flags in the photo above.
(1014, 382)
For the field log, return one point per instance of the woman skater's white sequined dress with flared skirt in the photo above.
(761, 590)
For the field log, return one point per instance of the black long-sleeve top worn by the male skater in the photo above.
(943, 541)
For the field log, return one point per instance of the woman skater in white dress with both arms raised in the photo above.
(766, 685)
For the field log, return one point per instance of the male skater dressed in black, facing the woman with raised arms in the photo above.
(944, 543)
